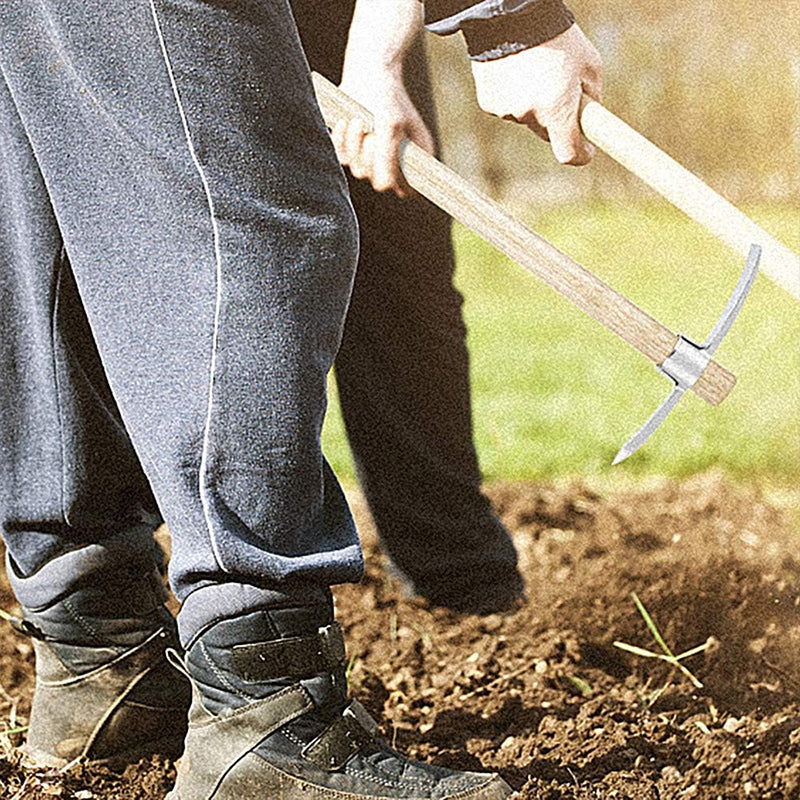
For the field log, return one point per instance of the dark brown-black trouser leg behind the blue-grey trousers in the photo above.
(403, 377)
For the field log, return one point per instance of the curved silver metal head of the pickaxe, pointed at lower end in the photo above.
(688, 360)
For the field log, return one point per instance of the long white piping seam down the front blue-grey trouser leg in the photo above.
(218, 266)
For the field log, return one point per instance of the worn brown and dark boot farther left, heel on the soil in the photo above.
(104, 690)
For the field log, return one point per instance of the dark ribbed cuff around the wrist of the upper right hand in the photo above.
(489, 39)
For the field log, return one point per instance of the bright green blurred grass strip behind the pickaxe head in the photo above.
(555, 394)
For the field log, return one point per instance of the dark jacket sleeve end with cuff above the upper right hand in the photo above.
(497, 28)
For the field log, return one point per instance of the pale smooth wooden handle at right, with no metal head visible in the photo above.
(686, 191)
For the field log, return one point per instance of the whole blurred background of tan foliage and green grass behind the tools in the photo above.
(716, 84)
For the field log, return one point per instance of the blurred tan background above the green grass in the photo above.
(715, 83)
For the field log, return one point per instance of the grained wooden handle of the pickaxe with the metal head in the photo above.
(463, 202)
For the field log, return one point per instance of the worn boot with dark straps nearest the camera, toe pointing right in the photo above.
(270, 718)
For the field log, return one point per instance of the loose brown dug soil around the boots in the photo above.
(542, 695)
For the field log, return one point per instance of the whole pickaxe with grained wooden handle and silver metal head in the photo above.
(690, 366)
